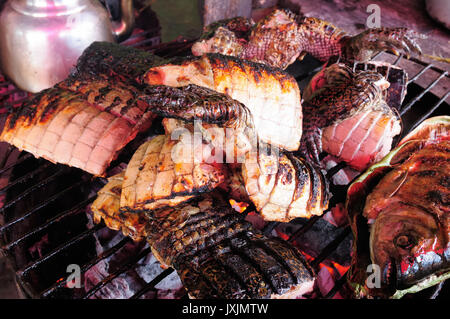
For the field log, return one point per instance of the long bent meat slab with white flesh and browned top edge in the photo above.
(271, 95)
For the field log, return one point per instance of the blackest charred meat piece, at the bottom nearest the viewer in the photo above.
(249, 265)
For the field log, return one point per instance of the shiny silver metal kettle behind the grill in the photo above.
(41, 40)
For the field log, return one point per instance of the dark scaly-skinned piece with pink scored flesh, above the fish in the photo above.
(345, 115)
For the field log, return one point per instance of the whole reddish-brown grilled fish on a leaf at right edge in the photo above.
(407, 203)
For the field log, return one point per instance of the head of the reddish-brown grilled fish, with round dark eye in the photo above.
(409, 245)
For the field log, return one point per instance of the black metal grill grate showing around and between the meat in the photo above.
(36, 176)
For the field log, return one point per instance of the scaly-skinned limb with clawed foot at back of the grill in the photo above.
(282, 37)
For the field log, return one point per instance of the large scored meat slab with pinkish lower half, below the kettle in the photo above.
(85, 120)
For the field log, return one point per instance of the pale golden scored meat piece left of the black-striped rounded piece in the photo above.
(166, 172)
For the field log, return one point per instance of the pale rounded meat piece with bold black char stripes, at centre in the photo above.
(283, 186)
